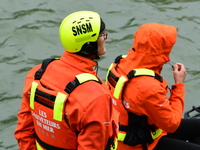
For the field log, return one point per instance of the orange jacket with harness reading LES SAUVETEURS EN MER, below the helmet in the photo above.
(60, 114)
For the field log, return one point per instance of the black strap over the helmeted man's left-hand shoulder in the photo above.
(40, 72)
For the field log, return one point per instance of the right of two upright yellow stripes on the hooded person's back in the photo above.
(119, 86)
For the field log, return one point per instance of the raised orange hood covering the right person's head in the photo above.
(152, 45)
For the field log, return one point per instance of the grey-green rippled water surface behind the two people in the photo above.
(29, 34)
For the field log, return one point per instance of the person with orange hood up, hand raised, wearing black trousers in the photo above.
(149, 119)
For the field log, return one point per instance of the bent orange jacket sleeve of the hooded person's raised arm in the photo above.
(163, 112)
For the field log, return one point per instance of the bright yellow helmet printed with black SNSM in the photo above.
(79, 28)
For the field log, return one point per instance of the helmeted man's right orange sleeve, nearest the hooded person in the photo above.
(96, 124)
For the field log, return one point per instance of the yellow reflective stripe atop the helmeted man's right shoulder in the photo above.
(86, 77)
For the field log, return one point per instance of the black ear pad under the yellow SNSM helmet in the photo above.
(89, 48)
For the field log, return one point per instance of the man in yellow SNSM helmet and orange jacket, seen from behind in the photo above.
(65, 104)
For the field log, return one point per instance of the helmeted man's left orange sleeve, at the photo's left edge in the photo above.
(24, 132)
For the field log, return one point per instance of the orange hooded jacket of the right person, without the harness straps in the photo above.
(144, 95)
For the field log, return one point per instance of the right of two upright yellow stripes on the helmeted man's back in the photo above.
(59, 106)
